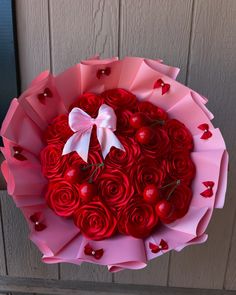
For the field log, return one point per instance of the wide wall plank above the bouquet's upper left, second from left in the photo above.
(80, 29)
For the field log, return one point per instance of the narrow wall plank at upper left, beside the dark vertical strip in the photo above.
(33, 38)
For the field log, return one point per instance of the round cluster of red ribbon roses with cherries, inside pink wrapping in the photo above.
(131, 191)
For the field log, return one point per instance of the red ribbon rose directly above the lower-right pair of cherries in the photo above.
(145, 172)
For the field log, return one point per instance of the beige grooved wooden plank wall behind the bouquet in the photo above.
(199, 36)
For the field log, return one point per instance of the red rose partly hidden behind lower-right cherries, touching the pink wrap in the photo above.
(180, 200)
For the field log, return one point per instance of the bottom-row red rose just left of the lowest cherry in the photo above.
(137, 219)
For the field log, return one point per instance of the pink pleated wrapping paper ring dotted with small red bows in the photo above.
(27, 119)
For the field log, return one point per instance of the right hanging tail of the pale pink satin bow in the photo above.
(107, 139)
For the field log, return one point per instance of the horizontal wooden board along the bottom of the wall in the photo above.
(40, 286)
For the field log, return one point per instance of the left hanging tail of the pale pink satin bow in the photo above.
(78, 142)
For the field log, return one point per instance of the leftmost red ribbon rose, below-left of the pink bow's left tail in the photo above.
(52, 161)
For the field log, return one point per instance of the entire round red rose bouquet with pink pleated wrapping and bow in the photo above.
(113, 162)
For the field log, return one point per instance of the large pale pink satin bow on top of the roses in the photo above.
(82, 124)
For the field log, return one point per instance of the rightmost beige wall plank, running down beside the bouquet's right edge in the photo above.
(212, 72)
